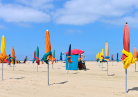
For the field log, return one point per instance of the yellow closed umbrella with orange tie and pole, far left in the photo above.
(3, 55)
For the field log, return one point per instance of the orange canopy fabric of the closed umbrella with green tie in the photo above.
(48, 45)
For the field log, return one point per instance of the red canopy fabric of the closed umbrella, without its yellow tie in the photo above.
(126, 40)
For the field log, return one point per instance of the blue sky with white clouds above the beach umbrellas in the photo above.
(85, 24)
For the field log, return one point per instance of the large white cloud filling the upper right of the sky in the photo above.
(81, 12)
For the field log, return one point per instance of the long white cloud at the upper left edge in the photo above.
(19, 13)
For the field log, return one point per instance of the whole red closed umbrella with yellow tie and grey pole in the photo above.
(127, 57)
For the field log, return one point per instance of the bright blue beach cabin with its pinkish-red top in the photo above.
(74, 57)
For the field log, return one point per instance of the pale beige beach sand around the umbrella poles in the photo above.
(25, 81)
